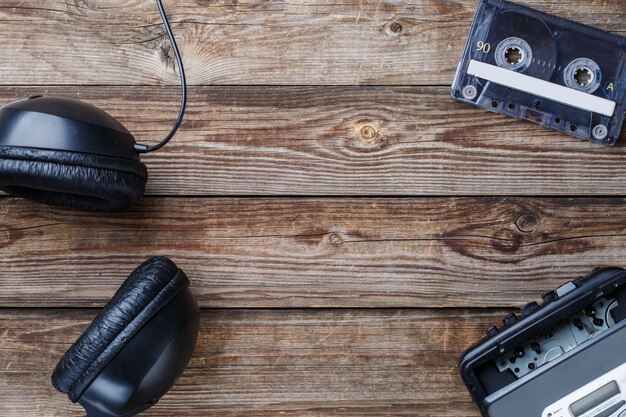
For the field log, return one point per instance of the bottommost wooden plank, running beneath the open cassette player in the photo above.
(268, 363)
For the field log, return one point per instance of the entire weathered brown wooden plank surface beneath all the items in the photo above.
(349, 229)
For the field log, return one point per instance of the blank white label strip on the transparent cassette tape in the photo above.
(541, 88)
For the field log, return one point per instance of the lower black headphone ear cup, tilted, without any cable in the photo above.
(136, 348)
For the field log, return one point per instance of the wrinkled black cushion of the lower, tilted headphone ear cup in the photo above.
(149, 288)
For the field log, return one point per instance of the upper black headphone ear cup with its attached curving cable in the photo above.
(69, 153)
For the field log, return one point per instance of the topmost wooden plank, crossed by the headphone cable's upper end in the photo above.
(251, 42)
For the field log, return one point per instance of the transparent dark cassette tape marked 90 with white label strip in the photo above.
(534, 66)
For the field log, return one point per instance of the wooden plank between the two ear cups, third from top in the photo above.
(314, 252)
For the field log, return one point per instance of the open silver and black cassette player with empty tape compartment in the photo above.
(563, 358)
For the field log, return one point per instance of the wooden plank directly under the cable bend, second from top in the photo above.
(350, 141)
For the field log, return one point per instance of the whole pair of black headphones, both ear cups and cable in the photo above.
(72, 154)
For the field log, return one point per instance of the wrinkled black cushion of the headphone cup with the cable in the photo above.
(72, 179)
